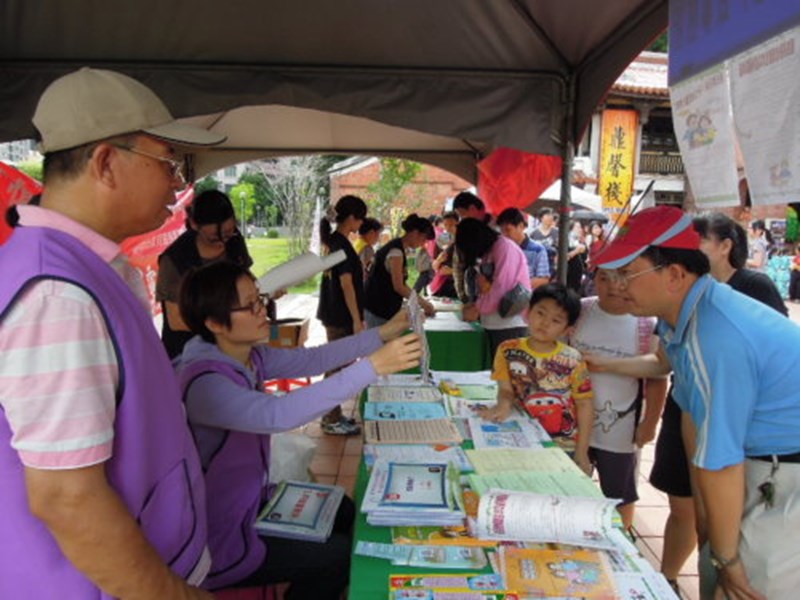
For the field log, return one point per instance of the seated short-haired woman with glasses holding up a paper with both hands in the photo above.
(221, 372)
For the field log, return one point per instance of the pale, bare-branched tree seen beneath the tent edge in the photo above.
(295, 183)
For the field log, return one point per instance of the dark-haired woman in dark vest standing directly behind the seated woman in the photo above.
(211, 235)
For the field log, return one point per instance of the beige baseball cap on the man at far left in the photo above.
(94, 104)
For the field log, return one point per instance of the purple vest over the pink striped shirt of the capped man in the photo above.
(154, 467)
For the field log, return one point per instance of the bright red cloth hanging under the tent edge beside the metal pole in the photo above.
(510, 177)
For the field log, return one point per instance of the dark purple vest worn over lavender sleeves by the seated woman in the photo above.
(235, 486)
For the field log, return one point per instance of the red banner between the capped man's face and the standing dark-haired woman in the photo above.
(143, 250)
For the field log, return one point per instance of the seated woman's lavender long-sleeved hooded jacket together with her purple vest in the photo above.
(231, 418)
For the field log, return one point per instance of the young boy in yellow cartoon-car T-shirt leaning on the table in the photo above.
(545, 376)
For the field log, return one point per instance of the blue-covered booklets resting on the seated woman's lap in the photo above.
(301, 511)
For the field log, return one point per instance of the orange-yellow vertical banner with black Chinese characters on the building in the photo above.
(617, 158)
